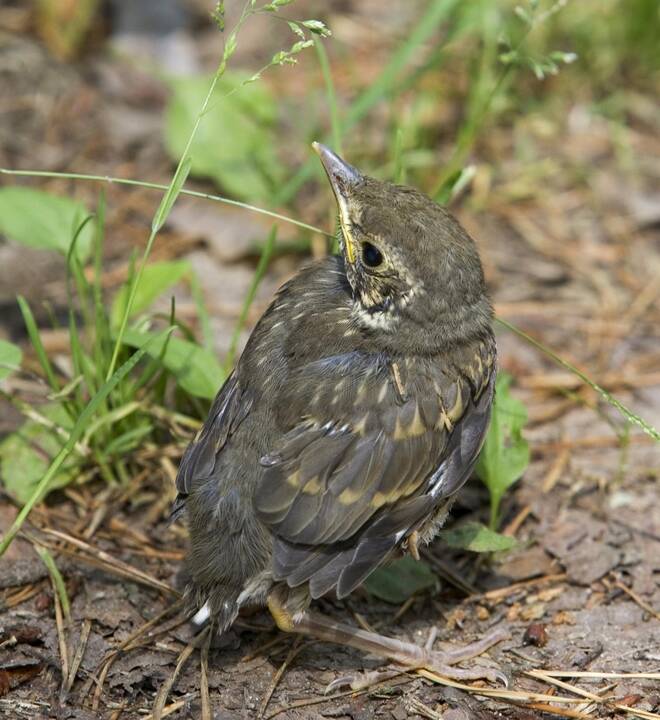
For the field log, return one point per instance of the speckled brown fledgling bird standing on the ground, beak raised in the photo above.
(353, 417)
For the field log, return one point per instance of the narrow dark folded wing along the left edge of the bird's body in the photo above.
(229, 408)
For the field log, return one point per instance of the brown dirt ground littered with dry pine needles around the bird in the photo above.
(575, 262)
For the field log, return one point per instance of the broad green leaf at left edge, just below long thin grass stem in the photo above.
(39, 219)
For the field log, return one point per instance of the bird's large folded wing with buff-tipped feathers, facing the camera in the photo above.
(355, 485)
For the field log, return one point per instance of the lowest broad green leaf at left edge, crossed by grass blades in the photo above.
(26, 454)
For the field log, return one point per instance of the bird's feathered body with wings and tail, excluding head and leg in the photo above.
(323, 452)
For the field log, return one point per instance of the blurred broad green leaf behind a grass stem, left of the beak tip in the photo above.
(234, 145)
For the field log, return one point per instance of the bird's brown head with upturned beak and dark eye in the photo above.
(408, 261)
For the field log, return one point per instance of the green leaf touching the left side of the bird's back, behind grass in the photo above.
(196, 369)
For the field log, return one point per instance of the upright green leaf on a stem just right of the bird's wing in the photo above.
(505, 454)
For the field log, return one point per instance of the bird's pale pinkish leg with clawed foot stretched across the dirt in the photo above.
(405, 653)
